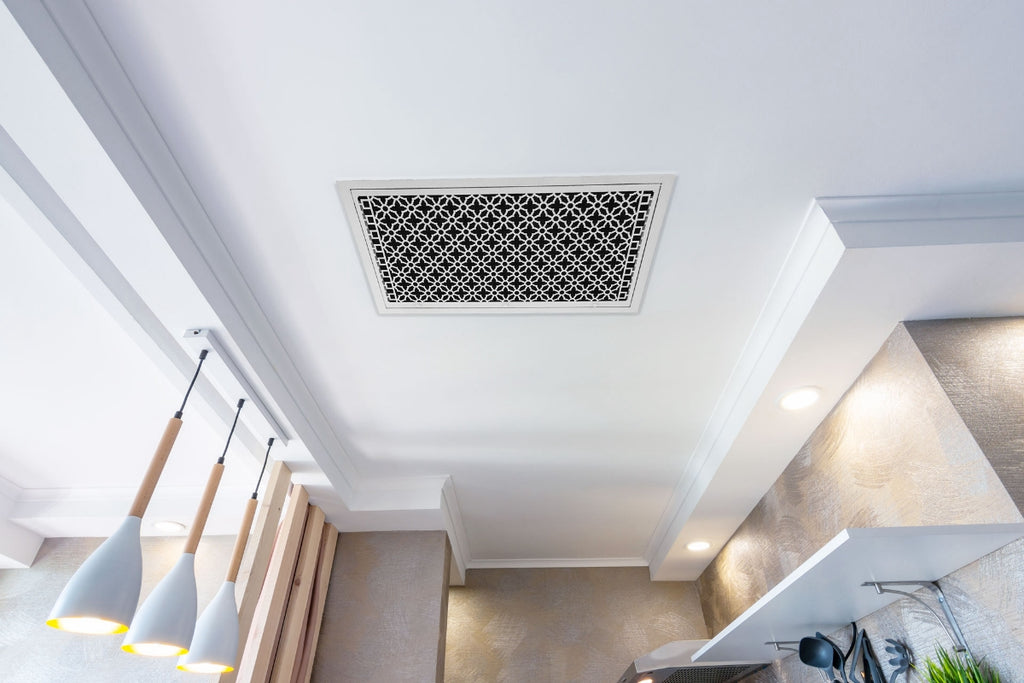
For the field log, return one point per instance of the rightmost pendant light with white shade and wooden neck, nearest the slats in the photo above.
(215, 649)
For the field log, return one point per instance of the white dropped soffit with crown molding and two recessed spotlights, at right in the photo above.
(890, 260)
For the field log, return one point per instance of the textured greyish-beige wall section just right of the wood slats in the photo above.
(385, 619)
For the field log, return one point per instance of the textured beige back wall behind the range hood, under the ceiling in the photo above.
(580, 625)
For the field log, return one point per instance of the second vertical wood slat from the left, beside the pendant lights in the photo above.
(258, 659)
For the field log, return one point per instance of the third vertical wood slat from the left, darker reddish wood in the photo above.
(293, 632)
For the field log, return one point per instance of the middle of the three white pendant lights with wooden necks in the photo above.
(164, 624)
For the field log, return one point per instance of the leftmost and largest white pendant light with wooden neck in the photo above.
(102, 596)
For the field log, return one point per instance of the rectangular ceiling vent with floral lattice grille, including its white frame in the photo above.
(573, 245)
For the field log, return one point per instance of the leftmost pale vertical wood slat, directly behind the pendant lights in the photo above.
(259, 553)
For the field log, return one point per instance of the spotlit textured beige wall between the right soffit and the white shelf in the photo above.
(894, 452)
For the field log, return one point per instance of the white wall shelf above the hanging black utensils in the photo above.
(826, 593)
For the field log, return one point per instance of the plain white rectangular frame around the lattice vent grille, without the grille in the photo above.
(661, 185)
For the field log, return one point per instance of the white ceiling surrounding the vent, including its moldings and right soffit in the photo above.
(547, 440)
